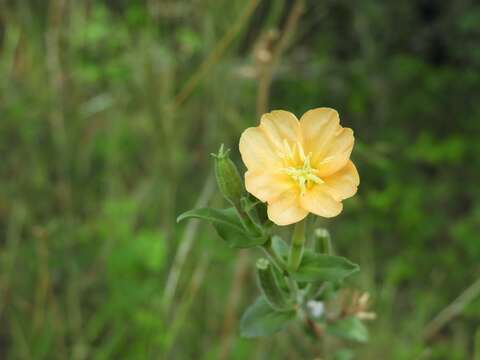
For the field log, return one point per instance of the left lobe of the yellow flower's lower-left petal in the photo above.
(267, 186)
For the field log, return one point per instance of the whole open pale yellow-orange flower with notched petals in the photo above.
(299, 167)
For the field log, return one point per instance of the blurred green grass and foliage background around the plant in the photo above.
(109, 111)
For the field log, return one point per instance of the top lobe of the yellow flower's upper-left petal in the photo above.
(280, 125)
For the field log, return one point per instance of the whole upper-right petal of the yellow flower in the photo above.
(329, 143)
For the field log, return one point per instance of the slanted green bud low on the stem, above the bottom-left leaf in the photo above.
(270, 289)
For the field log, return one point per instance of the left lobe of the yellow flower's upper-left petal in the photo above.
(257, 152)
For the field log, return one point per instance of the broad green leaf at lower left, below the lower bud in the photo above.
(261, 320)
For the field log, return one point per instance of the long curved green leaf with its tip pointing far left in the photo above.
(227, 225)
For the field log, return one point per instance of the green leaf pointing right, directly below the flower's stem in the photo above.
(322, 267)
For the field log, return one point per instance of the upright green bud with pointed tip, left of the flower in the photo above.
(228, 179)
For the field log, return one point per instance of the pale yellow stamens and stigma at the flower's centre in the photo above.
(303, 173)
